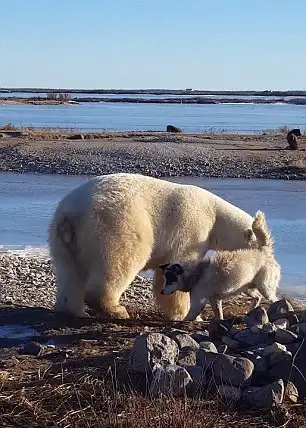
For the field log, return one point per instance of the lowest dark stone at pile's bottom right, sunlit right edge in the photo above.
(265, 397)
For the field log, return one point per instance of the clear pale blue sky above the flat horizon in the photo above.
(201, 44)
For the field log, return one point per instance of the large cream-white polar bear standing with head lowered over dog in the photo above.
(108, 229)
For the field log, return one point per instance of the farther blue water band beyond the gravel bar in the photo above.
(155, 117)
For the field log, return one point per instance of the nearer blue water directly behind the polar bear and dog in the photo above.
(28, 201)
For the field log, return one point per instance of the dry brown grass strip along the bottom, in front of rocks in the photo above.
(89, 400)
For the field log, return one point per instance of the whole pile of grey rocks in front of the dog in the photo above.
(260, 365)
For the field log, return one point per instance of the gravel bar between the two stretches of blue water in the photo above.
(157, 154)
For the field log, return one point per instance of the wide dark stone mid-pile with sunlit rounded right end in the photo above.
(226, 369)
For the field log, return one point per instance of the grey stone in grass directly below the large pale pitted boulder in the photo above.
(171, 380)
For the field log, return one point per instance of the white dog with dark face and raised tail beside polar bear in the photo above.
(252, 271)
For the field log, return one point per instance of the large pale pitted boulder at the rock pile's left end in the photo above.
(151, 349)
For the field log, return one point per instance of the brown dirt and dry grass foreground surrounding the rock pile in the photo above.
(82, 378)
